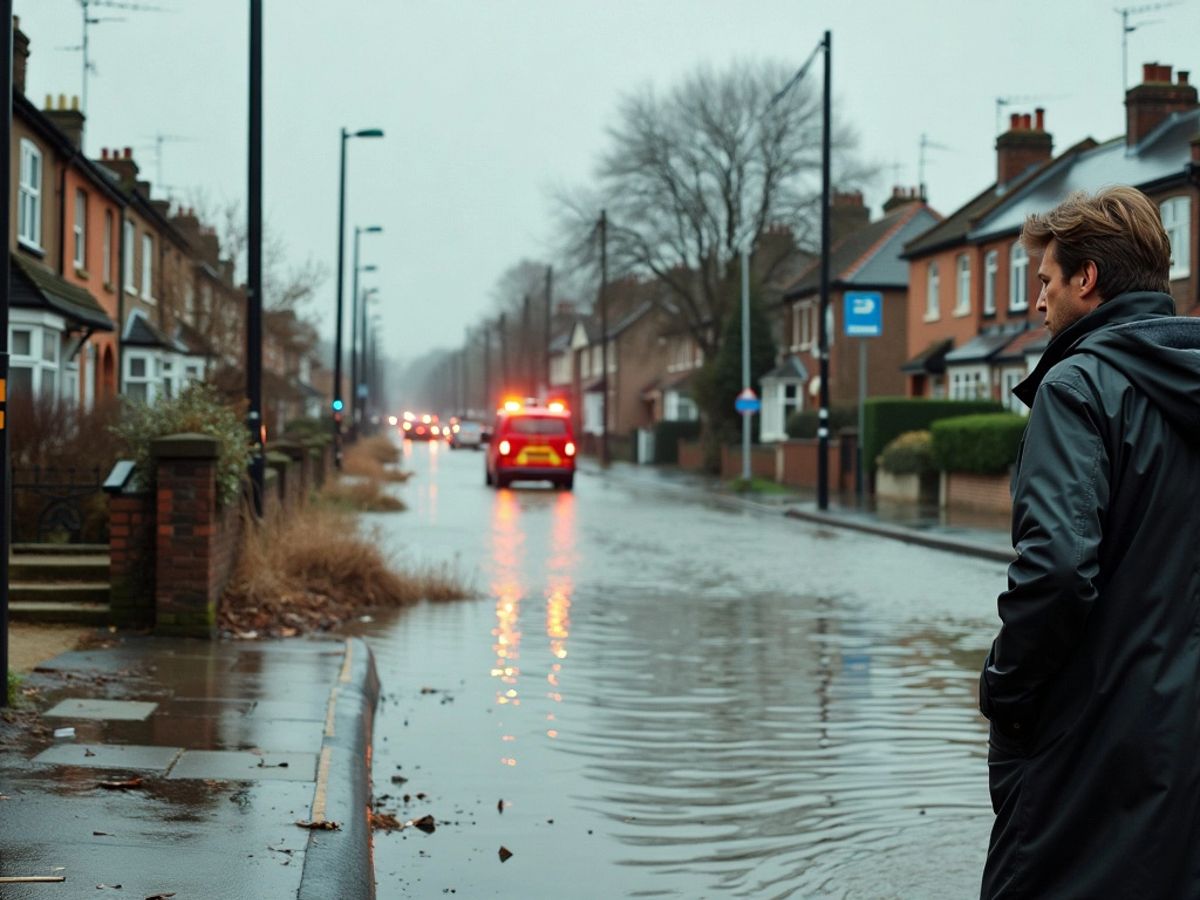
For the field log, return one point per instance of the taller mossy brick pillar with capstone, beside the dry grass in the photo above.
(193, 559)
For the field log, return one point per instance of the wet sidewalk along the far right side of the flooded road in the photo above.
(983, 536)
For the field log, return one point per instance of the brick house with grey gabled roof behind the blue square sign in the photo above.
(868, 257)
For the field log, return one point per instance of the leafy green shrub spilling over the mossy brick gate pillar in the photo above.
(197, 410)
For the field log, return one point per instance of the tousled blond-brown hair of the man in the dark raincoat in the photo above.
(1118, 229)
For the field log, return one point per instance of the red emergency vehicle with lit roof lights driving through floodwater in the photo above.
(532, 445)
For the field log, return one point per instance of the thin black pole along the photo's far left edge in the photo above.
(5, 229)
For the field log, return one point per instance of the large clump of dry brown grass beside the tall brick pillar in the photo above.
(314, 571)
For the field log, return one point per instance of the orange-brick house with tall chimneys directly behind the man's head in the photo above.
(982, 338)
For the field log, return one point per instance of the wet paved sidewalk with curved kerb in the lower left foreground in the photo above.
(189, 767)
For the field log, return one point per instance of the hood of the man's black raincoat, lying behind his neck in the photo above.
(1139, 335)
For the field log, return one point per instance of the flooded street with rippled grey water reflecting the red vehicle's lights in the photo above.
(661, 697)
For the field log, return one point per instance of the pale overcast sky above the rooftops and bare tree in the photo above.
(490, 105)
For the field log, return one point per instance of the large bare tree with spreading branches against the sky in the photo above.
(693, 176)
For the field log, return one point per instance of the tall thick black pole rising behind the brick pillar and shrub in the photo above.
(255, 261)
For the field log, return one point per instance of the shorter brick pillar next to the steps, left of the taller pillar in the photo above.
(131, 548)
